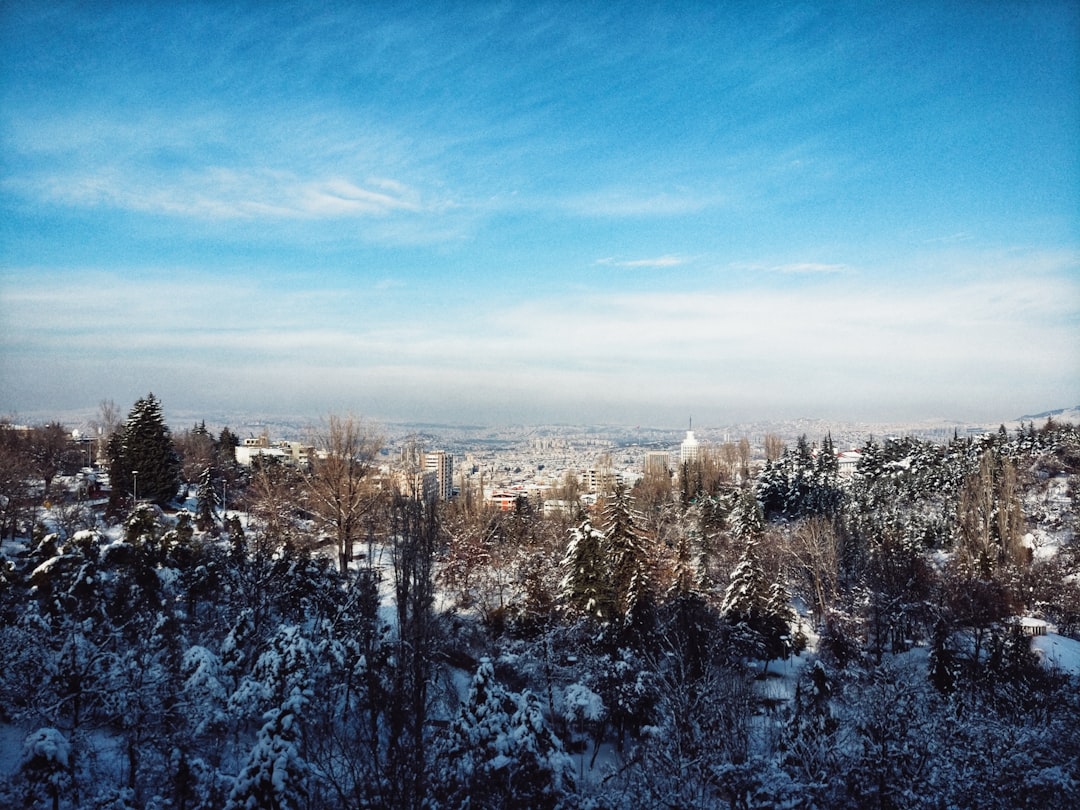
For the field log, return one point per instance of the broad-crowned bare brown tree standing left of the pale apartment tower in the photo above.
(337, 483)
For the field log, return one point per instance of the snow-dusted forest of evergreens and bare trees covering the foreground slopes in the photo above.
(719, 638)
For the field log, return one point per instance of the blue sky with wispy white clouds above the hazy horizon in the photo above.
(504, 213)
